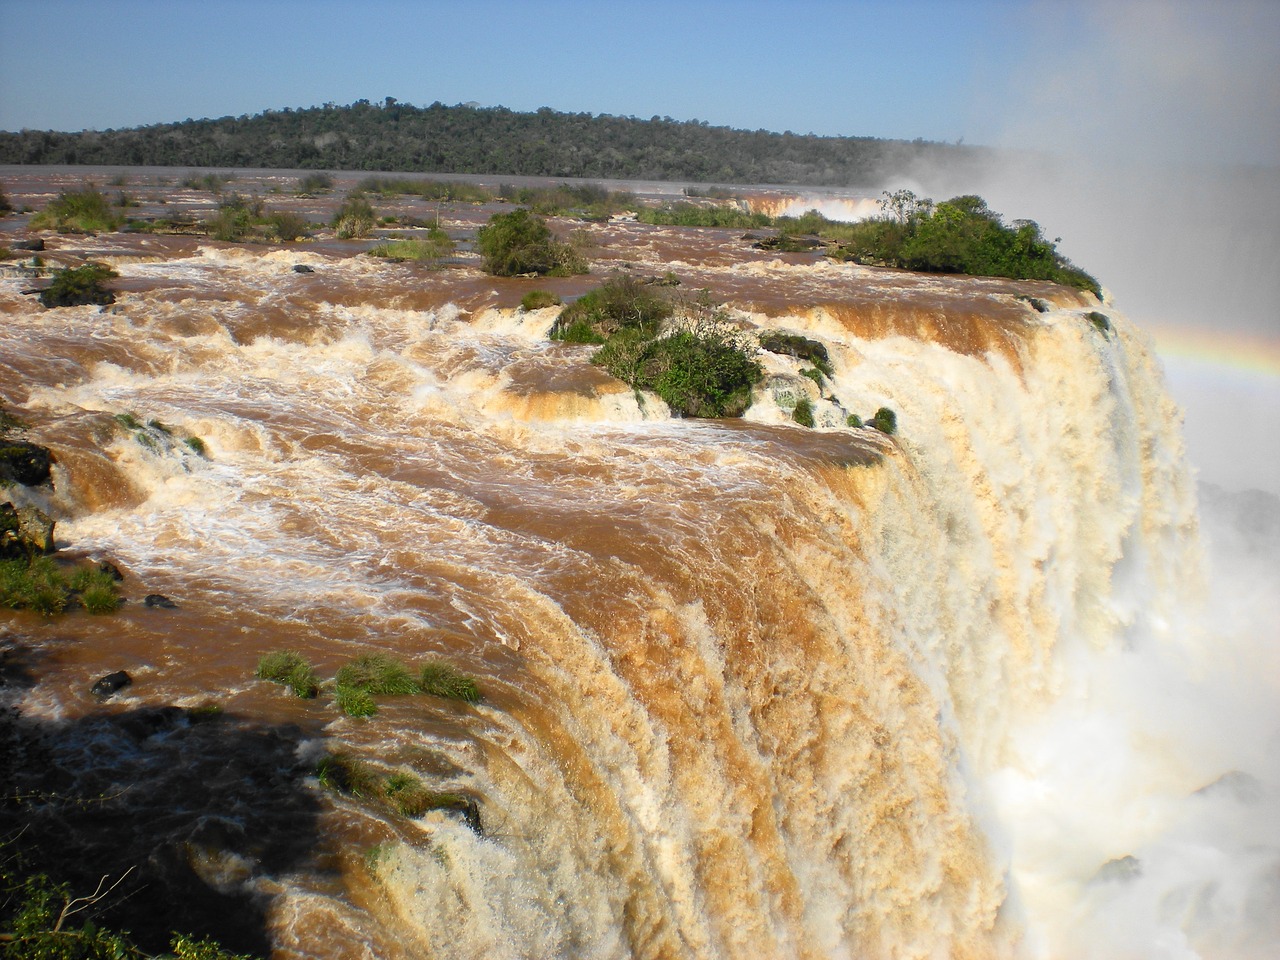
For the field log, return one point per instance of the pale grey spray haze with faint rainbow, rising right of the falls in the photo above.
(1146, 136)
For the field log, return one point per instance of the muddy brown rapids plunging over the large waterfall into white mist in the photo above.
(751, 691)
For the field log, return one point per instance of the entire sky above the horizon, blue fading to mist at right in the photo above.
(1192, 77)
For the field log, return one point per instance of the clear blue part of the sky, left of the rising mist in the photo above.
(890, 70)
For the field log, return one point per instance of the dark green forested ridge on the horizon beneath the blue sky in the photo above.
(438, 139)
